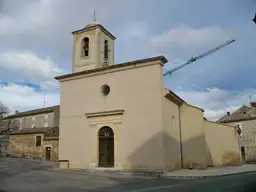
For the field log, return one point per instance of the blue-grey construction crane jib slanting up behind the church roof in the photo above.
(193, 59)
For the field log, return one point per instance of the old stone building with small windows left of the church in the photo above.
(37, 133)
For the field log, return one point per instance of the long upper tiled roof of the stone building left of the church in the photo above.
(34, 112)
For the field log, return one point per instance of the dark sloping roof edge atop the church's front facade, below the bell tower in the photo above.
(141, 61)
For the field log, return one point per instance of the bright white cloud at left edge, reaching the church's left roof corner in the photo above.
(32, 68)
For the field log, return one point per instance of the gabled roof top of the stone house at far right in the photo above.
(242, 114)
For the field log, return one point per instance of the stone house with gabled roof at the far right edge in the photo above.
(245, 118)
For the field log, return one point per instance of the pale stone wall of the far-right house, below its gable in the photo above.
(248, 138)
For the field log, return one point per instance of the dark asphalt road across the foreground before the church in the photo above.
(21, 175)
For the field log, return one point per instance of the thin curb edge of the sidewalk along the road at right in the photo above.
(206, 176)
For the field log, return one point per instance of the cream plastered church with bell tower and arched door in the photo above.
(120, 116)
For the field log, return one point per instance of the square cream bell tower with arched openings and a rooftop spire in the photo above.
(93, 47)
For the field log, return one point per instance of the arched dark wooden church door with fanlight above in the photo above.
(106, 147)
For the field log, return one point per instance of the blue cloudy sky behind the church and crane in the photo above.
(36, 45)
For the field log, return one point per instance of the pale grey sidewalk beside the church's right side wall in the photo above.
(210, 172)
